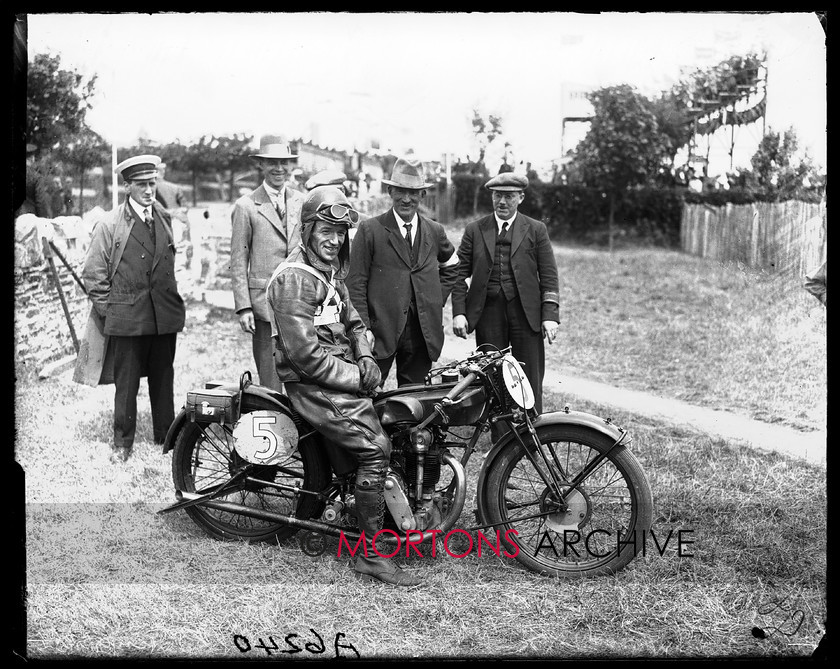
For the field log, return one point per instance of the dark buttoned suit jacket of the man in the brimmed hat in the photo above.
(381, 278)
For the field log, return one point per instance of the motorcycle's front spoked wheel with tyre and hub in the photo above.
(594, 529)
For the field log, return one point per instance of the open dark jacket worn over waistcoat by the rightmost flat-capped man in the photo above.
(532, 262)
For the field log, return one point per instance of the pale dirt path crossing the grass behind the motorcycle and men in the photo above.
(809, 446)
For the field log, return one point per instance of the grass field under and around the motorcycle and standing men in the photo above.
(108, 577)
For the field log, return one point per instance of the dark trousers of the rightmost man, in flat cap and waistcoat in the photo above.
(503, 323)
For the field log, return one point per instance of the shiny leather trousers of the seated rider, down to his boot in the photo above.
(350, 422)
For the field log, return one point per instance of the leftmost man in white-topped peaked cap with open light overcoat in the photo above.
(129, 273)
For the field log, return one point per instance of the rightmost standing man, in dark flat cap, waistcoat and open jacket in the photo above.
(513, 297)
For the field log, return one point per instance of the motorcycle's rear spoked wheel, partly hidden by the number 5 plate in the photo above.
(204, 459)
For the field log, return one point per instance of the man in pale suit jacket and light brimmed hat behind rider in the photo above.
(266, 227)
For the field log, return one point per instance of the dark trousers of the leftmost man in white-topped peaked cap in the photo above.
(155, 354)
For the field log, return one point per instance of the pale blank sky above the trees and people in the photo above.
(410, 81)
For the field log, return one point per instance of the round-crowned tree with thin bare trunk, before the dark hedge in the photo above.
(624, 147)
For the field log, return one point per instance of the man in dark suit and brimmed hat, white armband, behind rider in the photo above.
(402, 267)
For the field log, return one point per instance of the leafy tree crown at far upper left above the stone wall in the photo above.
(57, 101)
